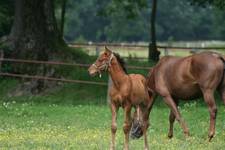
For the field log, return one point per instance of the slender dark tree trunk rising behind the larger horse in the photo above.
(153, 52)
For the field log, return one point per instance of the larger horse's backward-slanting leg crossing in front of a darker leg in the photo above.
(170, 102)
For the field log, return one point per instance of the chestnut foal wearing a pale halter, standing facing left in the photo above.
(126, 91)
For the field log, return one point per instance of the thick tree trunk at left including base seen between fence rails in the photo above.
(35, 35)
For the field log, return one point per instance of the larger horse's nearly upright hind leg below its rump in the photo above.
(210, 101)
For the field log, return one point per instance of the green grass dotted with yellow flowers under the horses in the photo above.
(64, 119)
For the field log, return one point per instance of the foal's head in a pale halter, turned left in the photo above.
(102, 63)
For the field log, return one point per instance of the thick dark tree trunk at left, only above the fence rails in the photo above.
(34, 34)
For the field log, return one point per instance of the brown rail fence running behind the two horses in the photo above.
(96, 45)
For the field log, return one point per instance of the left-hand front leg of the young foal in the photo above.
(114, 110)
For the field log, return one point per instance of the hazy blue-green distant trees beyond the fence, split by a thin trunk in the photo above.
(176, 20)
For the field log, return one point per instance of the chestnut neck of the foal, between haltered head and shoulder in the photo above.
(117, 74)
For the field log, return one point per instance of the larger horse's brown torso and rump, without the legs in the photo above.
(183, 77)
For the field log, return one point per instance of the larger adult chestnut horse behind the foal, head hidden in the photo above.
(199, 75)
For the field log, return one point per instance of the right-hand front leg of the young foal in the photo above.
(127, 125)
